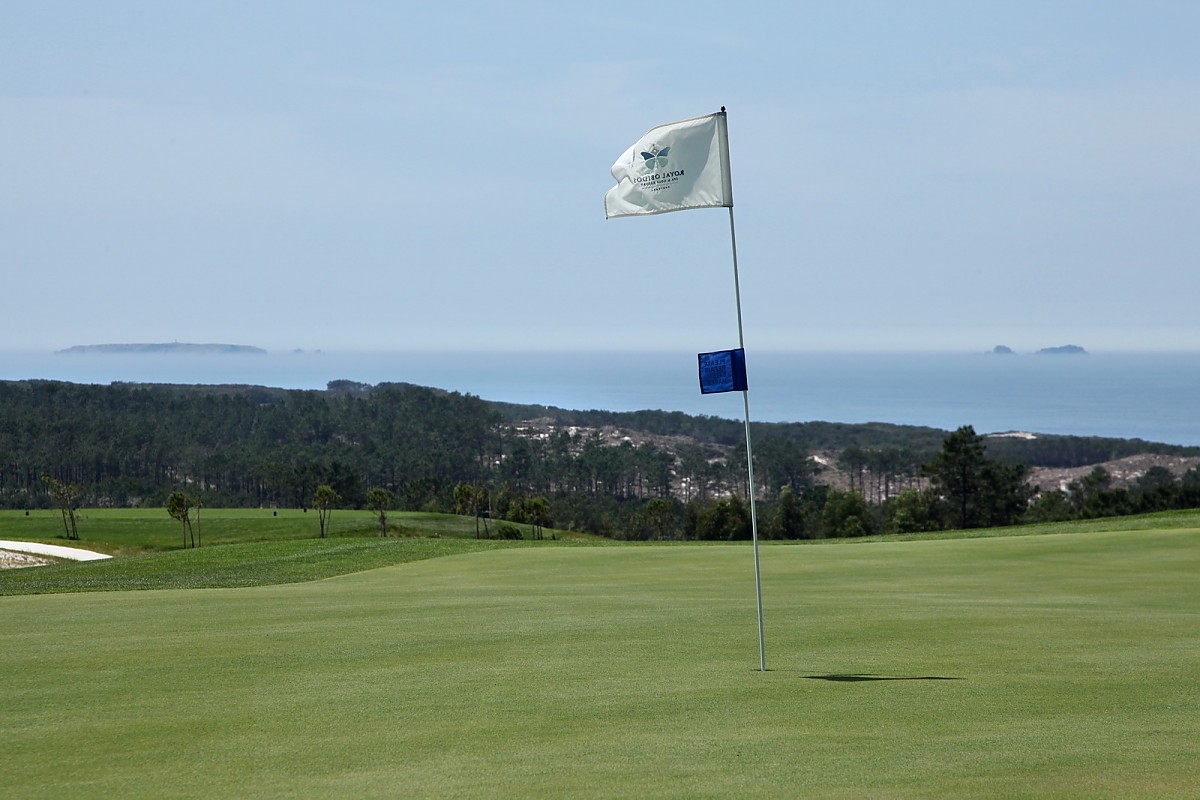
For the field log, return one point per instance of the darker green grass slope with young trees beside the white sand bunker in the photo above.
(243, 548)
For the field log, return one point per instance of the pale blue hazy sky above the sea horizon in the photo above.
(926, 176)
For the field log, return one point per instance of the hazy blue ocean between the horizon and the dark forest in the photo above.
(1149, 396)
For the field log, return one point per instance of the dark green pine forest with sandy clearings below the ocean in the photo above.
(633, 476)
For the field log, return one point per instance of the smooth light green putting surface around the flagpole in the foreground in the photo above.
(1028, 666)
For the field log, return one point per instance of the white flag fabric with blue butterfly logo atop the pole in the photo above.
(674, 167)
